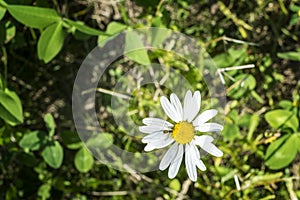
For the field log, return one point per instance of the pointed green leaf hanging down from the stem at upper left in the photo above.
(51, 42)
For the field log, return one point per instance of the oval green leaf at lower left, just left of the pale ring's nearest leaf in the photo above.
(53, 154)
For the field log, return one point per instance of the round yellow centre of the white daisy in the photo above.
(183, 132)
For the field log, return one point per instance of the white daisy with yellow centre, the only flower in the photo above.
(182, 134)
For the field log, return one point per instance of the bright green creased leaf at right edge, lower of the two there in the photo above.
(281, 152)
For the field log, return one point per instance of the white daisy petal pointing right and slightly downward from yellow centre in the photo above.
(205, 142)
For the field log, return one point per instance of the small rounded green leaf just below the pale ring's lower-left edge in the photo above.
(83, 160)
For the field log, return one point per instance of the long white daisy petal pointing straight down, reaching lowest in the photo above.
(189, 162)
